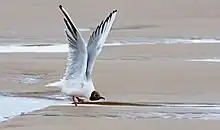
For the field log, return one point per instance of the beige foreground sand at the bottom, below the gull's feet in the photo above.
(94, 118)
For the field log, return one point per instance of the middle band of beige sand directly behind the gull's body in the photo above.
(134, 73)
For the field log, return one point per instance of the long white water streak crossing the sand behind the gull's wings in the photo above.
(46, 47)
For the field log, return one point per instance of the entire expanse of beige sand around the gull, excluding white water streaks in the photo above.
(141, 73)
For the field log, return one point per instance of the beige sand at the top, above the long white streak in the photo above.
(31, 20)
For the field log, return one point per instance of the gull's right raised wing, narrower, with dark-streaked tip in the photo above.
(97, 39)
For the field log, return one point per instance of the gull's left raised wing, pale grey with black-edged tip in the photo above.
(77, 55)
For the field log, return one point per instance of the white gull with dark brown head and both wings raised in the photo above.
(77, 80)
